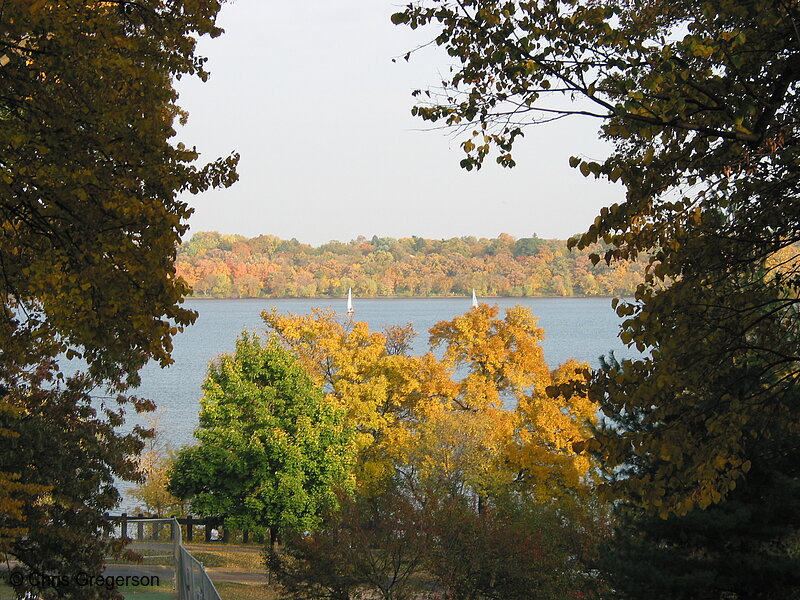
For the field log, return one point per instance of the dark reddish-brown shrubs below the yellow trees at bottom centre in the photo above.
(392, 546)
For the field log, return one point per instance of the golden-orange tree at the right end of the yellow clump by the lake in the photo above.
(502, 364)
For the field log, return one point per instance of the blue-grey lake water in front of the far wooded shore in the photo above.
(581, 328)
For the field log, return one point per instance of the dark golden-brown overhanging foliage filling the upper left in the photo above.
(89, 177)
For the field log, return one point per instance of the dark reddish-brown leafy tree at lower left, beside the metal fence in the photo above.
(67, 441)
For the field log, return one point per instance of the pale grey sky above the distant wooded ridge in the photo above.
(306, 92)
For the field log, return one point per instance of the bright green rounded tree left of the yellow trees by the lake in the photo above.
(272, 451)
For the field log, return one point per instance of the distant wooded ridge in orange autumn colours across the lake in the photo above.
(233, 266)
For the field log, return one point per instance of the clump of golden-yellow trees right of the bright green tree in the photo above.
(479, 417)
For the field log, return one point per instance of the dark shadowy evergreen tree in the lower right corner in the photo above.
(745, 546)
